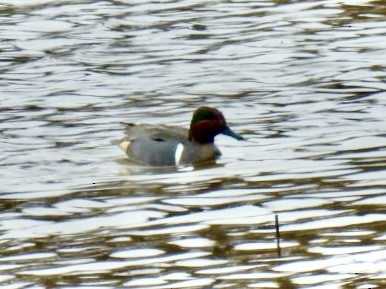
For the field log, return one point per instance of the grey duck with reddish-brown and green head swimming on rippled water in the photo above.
(164, 145)
